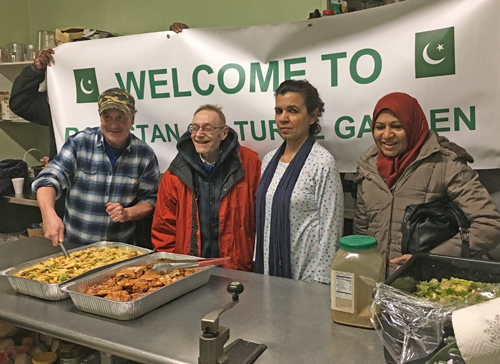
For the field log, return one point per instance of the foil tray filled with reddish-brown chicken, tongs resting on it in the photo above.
(130, 290)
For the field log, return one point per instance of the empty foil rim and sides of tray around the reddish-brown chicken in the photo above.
(129, 310)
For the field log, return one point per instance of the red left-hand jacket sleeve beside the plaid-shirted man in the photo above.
(164, 226)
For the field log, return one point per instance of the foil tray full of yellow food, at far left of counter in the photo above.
(43, 277)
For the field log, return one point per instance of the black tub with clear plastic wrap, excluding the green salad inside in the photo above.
(410, 327)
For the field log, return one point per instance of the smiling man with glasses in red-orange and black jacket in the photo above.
(206, 200)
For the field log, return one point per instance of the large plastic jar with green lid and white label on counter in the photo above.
(356, 267)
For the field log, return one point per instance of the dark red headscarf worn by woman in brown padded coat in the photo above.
(412, 118)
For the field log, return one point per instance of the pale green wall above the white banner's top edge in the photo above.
(21, 19)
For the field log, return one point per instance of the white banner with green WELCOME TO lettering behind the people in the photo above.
(443, 52)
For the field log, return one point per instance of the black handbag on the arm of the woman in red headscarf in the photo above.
(427, 225)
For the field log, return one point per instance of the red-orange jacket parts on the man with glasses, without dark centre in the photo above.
(176, 221)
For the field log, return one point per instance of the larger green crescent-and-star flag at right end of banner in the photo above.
(435, 53)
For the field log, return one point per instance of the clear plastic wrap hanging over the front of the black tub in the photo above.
(410, 328)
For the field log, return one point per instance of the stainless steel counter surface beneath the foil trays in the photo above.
(291, 317)
